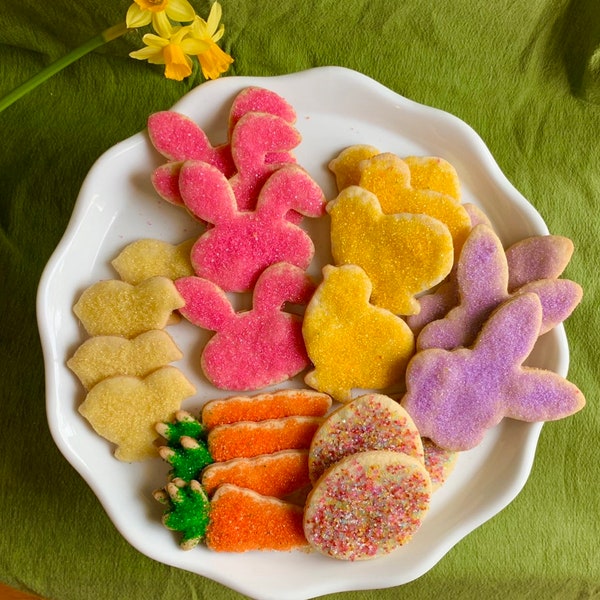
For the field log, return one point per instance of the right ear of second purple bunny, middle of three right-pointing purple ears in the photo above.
(559, 298)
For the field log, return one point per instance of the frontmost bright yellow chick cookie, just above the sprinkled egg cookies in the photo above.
(351, 343)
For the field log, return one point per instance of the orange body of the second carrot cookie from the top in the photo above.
(246, 438)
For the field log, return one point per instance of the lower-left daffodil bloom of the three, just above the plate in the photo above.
(171, 47)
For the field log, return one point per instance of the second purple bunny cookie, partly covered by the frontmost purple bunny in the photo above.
(482, 275)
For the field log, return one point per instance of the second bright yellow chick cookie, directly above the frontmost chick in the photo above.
(403, 254)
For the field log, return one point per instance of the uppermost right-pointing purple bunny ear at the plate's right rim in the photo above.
(538, 257)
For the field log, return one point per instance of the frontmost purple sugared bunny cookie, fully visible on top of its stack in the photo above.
(455, 396)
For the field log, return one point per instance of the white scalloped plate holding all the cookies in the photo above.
(336, 107)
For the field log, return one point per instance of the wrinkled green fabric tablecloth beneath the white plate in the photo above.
(524, 73)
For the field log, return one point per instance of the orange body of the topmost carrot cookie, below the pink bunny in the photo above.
(274, 405)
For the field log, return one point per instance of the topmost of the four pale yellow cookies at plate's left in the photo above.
(148, 258)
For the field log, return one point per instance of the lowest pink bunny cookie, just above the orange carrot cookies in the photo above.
(256, 348)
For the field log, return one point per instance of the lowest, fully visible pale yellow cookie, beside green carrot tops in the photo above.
(124, 409)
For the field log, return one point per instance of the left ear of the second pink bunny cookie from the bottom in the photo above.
(206, 192)
